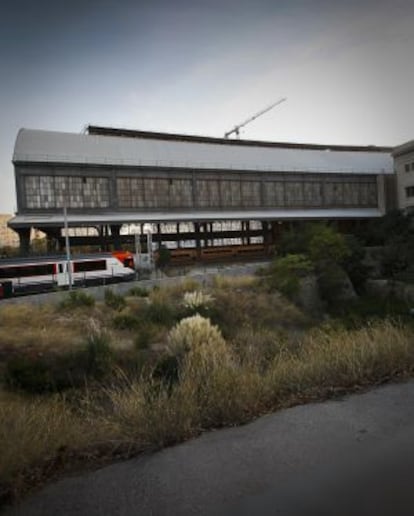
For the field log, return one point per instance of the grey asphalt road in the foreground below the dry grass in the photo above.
(347, 457)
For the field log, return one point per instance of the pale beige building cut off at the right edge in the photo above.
(404, 169)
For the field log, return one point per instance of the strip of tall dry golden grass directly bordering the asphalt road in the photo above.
(215, 386)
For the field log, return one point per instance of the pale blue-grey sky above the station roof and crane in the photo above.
(200, 67)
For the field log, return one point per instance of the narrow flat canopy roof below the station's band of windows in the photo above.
(76, 220)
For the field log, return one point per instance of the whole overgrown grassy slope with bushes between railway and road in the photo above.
(180, 375)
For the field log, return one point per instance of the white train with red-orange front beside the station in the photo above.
(41, 274)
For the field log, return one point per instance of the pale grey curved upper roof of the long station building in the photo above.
(144, 149)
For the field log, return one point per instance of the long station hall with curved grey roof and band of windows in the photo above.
(111, 177)
